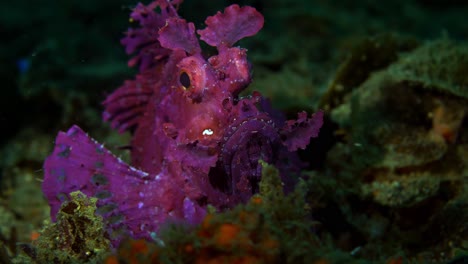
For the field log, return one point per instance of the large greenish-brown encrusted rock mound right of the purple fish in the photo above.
(430, 111)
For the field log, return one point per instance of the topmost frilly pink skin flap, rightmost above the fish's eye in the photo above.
(225, 29)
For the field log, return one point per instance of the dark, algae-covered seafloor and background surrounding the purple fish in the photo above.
(388, 175)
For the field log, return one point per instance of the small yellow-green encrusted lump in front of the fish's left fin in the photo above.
(76, 237)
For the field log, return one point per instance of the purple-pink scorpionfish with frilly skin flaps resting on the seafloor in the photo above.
(192, 145)
